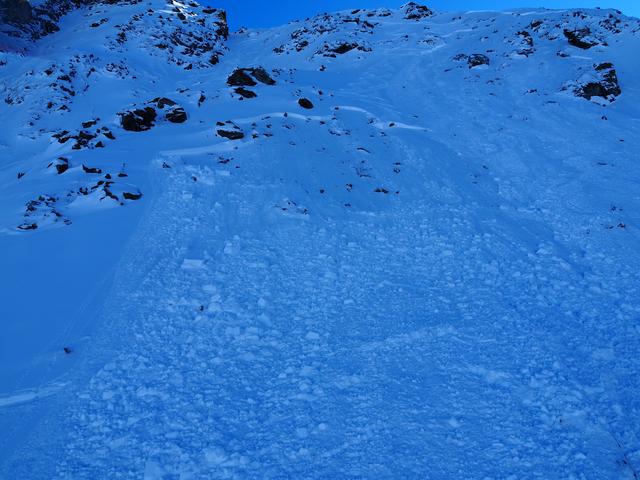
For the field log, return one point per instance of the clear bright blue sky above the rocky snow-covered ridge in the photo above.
(260, 13)
